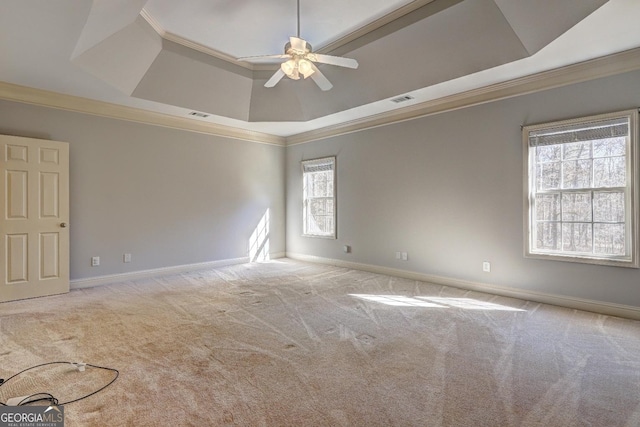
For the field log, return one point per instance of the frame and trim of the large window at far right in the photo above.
(631, 190)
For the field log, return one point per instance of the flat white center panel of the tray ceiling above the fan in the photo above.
(258, 27)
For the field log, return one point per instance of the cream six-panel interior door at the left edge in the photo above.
(34, 252)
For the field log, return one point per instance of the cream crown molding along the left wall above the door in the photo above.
(43, 98)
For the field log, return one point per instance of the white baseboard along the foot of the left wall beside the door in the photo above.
(155, 272)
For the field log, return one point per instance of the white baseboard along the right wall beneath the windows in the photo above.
(601, 307)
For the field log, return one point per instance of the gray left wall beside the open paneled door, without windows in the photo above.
(169, 197)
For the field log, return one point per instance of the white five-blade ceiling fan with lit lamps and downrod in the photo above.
(300, 61)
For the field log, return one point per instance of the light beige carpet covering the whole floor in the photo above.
(287, 343)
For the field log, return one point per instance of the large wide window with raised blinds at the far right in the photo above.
(582, 190)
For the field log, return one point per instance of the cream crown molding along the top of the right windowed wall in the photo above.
(609, 65)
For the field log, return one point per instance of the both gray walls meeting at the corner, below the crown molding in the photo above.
(447, 189)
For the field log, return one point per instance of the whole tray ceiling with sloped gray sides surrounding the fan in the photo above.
(51, 45)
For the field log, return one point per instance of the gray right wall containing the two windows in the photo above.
(448, 189)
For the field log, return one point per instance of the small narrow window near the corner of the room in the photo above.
(319, 197)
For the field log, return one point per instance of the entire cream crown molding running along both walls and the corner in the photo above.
(596, 68)
